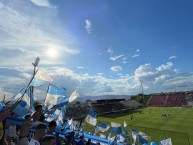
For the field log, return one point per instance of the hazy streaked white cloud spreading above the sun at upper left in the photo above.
(30, 33)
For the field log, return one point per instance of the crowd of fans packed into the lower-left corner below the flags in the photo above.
(34, 131)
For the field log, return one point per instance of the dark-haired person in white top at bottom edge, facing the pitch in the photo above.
(40, 130)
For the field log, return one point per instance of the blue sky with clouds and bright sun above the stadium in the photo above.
(98, 47)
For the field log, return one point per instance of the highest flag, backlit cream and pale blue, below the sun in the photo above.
(40, 78)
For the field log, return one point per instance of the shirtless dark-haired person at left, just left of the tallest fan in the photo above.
(24, 132)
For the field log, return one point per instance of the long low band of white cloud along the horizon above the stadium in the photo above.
(155, 80)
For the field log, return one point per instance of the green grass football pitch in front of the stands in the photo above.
(179, 126)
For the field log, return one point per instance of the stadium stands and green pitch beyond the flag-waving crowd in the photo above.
(162, 117)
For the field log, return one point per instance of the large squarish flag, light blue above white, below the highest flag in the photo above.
(56, 96)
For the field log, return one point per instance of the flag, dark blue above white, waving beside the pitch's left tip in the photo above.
(91, 117)
